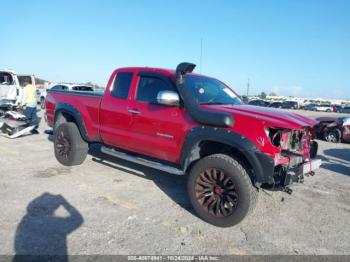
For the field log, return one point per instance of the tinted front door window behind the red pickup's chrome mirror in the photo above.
(149, 88)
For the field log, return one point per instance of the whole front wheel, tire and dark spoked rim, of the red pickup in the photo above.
(221, 191)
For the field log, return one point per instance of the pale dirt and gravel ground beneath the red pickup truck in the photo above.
(115, 207)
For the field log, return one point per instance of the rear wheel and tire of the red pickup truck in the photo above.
(67, 136)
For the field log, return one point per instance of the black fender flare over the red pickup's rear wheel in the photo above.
(75, 114)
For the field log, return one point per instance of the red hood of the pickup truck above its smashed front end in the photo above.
(272, 117)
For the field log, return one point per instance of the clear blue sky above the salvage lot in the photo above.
(291, 47)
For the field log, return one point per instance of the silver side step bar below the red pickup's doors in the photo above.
(142, 161)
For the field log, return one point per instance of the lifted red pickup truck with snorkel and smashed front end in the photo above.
(184, 123)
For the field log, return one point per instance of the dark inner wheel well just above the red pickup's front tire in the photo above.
(206, 148)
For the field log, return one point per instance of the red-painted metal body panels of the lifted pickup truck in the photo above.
(160, 131)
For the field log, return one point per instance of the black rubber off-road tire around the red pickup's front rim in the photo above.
(247, 194)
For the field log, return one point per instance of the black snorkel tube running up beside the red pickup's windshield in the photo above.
(202, 116)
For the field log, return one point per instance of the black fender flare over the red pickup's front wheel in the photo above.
(262, 165)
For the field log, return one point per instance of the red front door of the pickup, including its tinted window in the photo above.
(157, 130)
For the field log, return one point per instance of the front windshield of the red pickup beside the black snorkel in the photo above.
(210, 91)
